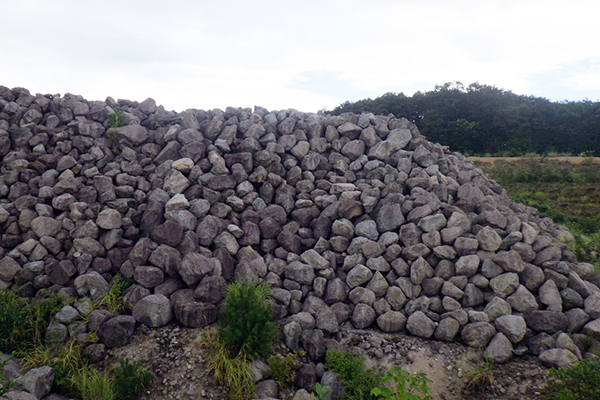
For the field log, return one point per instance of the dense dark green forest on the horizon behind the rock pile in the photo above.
(482, 119)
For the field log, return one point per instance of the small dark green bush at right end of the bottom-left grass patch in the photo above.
(130, 380)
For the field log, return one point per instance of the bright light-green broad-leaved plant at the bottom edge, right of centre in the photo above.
(404, 386)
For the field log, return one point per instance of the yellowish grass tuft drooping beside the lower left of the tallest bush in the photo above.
(233, 373)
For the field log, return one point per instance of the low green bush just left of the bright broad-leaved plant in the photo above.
(350, 368)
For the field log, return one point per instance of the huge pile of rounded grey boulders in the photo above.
(356, 218)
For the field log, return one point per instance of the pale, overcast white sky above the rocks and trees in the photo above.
(307, 55)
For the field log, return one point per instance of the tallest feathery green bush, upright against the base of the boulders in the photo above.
(246, 319)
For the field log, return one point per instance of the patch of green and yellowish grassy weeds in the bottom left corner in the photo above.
(23, 324)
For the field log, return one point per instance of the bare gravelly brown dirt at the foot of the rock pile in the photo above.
(179, 362)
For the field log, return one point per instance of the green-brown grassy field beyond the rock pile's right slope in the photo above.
(566, 189)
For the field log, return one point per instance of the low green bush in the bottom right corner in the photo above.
(580, 381)
